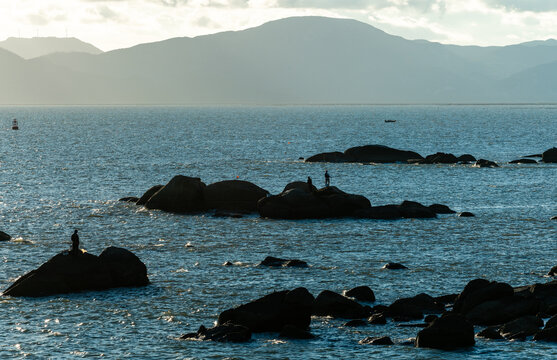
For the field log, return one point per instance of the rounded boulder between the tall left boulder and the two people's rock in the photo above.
(233, 195)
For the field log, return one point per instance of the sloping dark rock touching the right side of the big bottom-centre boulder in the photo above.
(329, 303)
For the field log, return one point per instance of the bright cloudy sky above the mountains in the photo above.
(112, 24)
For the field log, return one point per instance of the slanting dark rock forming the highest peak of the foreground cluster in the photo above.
(479, 291)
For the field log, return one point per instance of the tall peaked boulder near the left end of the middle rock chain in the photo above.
(182, 194)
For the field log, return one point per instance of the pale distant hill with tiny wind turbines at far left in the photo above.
(29, 48)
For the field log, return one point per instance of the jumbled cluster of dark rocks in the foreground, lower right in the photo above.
(507, 312)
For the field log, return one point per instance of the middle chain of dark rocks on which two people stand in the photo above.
(297, 201)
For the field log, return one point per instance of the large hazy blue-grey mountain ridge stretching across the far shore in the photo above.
(296, 61)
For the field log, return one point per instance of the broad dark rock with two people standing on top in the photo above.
(329, 202)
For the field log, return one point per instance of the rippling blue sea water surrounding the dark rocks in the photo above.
(67, 166)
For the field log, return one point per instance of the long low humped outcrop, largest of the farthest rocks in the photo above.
(367, 154)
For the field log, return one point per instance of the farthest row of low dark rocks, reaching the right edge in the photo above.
(385, 154)
